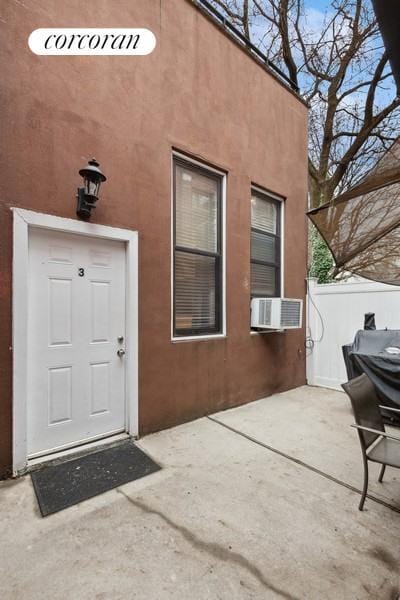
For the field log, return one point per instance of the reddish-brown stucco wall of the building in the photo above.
(197, 92)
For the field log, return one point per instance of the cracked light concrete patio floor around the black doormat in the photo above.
(228, 517)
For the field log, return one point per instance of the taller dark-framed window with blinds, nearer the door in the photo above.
(197, 250)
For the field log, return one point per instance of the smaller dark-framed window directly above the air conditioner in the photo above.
(265, 246)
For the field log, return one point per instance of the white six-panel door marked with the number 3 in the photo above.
(76, 326)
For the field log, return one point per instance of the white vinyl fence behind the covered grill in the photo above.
(335, 312)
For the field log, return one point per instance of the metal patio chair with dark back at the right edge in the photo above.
(376, 445)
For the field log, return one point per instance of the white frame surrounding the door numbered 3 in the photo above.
(23, 220)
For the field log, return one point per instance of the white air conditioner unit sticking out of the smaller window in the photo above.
(276, 313)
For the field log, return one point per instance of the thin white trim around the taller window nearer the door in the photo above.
(223, 175)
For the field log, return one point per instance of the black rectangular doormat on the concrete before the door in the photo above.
(68, 483)
